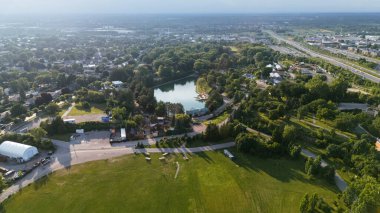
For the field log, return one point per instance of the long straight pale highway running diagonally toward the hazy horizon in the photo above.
(361, 71)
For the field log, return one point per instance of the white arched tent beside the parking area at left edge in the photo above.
(17, 150)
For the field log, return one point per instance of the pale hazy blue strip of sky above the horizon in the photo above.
(184, 6)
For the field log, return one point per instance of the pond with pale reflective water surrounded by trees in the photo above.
(182, 91)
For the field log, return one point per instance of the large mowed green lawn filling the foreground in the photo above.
(207, 182)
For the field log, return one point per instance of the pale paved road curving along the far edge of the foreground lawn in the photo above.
(66, 157)
